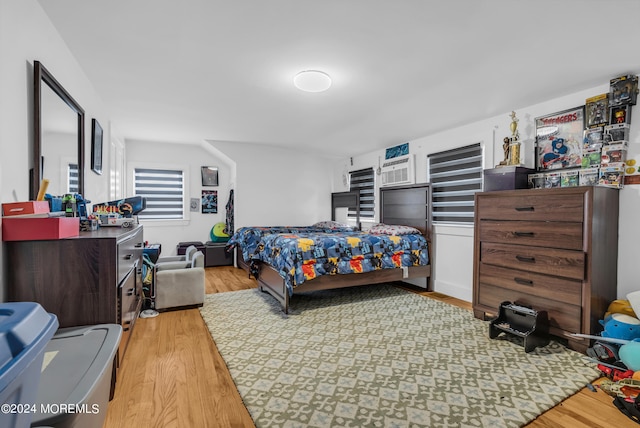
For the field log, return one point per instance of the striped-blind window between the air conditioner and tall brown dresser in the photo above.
(455, 176)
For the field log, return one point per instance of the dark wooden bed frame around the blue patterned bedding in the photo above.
(401, 205)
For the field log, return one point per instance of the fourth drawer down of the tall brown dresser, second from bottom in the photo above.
(550, 287)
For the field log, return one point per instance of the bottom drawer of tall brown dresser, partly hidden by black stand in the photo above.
(561, 315)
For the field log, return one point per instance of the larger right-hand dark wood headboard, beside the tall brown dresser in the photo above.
(408, 206)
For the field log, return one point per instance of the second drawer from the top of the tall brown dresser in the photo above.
(551, 234)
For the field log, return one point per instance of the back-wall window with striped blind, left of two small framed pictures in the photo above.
(163, 190)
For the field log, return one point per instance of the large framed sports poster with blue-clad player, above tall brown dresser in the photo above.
(559, 139)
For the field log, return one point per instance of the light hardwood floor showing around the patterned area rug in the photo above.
(173, 376)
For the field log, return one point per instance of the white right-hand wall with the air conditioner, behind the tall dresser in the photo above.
(453, 245)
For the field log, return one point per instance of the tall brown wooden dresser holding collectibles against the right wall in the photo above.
(548, 249)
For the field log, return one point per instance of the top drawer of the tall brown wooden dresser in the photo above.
(531, 205)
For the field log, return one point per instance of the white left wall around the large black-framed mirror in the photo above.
(26, 34)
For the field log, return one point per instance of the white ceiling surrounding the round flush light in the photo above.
(194, 70)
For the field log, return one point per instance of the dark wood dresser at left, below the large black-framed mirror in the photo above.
(86, 280)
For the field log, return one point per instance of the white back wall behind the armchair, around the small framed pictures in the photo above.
(271, 186)
